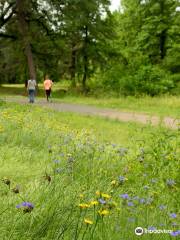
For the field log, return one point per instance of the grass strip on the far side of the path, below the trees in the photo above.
(160, 106)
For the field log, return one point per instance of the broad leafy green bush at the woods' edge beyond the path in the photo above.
(150, 80)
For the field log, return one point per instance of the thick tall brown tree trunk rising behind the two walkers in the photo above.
(21, 13)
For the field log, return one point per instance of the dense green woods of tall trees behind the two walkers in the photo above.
(135, 50)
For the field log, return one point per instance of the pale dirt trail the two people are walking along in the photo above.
(104, 112)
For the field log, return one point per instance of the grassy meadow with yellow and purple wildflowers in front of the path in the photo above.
(72, 177)
